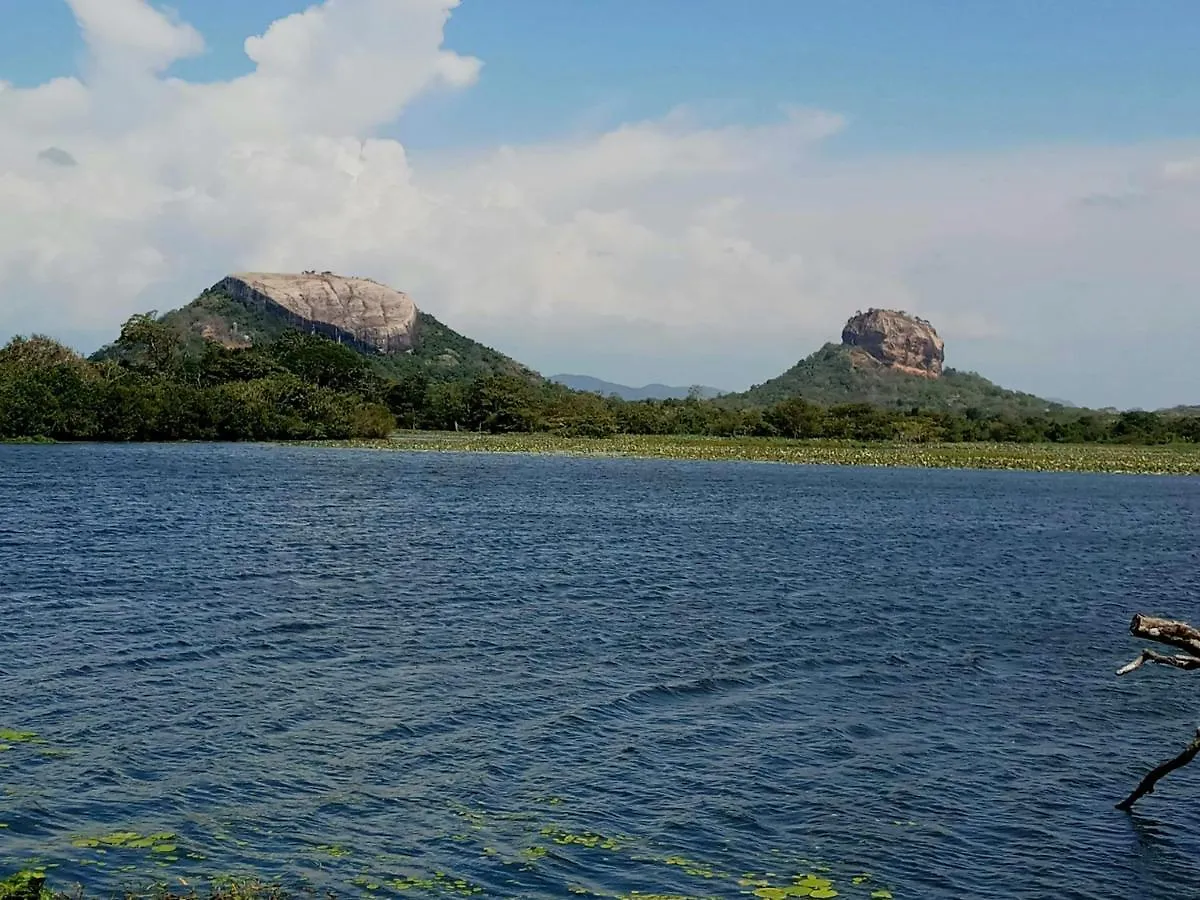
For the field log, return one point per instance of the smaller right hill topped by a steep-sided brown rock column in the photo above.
(891, 359)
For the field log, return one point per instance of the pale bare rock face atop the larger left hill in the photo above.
(357, 310)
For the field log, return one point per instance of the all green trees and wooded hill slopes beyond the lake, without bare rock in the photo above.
(220, 370)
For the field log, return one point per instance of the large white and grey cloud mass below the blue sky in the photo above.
(667, 250)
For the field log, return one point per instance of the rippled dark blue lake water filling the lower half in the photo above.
(537, 675)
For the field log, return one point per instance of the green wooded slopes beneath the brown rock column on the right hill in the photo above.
(831, 377)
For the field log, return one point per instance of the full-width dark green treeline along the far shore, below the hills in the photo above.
(149, 386)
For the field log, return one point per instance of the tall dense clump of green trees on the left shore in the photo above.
(149, 389)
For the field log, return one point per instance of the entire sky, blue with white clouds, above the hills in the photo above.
(680, 191)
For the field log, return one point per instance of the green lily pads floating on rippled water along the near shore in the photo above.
(497, 854)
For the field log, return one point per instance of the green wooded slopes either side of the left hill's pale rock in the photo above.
(440, 352)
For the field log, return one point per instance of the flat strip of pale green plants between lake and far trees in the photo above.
(1111, 459)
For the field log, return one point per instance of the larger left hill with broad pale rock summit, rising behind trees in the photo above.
(385, 325)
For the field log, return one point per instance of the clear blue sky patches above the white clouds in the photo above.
(911, 75)
